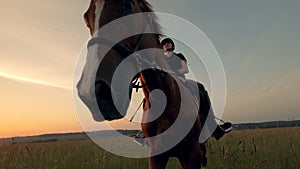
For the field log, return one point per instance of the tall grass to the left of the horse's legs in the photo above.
(63, 155)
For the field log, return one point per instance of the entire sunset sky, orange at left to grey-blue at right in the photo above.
(258, 43)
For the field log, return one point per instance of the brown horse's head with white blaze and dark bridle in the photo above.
(94, 87)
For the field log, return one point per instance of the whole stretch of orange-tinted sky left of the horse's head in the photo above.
(40, 42)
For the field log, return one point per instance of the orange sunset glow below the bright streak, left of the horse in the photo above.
(28, 108)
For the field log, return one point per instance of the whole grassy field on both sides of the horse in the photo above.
(240, 149)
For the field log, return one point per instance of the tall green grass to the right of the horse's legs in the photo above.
(261, 148)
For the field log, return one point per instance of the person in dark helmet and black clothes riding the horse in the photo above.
(178, 64)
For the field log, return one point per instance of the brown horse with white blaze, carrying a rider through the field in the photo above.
(160, 128)
